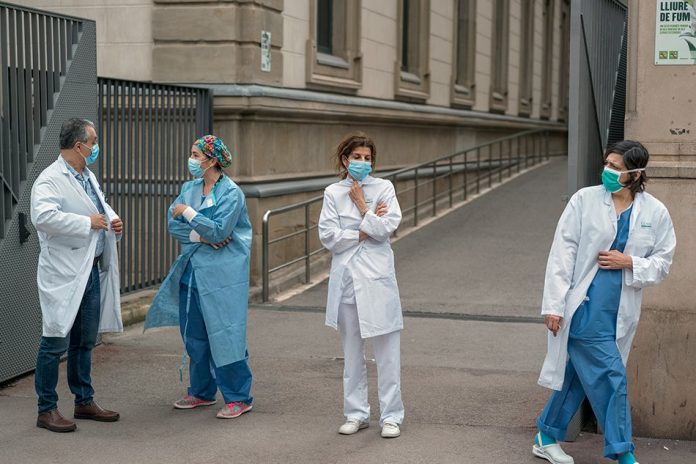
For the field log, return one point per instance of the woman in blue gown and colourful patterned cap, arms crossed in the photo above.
(206, 292)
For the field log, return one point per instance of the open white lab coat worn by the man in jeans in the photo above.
(60, 210)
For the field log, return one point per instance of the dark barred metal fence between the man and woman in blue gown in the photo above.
(146, 131)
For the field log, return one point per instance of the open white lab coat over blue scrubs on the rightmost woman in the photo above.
(587, 226)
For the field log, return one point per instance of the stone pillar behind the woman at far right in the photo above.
(660, 112)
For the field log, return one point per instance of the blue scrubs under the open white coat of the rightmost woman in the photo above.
(594, 365)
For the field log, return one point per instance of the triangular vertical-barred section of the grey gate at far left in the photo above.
(36, 49)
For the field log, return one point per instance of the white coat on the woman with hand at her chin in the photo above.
(370, 262)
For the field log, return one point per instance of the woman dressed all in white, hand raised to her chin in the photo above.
(358, 216)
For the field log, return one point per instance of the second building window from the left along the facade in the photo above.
(412, 71)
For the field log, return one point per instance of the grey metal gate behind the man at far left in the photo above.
(49, 74)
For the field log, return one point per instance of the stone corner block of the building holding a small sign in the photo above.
(216, 41)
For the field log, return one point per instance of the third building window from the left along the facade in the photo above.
(463, 77)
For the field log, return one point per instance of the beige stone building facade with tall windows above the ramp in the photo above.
(423, 77)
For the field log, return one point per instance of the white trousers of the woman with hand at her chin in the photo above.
(388, 357)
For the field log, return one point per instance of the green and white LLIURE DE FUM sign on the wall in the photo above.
(675, 33)
